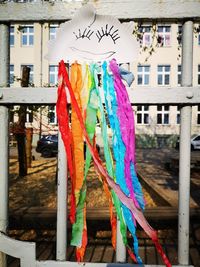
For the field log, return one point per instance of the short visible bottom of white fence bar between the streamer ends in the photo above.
(120, 247)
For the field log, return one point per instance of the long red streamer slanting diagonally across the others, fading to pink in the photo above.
(136, 212)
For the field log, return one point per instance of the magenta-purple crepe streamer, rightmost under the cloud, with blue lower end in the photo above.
(126, 120)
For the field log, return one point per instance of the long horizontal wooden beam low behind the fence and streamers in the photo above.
(41, 218)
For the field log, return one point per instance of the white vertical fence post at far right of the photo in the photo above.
(185, 147)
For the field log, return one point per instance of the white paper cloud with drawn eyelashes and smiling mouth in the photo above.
(92, 37)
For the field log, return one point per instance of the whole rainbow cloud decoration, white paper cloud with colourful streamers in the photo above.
(94, 45)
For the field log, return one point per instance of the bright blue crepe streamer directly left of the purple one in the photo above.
(119, 151)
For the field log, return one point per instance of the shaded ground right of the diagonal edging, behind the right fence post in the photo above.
(158, 168)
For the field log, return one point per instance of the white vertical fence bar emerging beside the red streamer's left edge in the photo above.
(61, 238)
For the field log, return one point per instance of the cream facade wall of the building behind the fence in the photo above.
(164, 55)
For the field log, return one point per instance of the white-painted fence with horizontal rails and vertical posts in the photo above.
(186, 96)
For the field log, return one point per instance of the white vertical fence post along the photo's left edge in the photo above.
(4, 62)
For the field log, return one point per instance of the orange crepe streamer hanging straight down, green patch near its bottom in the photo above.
(79, 228)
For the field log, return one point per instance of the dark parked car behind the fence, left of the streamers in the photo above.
(48, 146)
